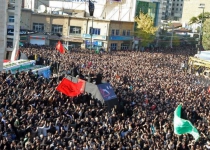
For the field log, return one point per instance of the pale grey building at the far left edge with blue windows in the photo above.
(10, 28)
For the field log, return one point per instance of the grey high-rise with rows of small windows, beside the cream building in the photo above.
(177, 9)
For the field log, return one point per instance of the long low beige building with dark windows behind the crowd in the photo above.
(76, 31)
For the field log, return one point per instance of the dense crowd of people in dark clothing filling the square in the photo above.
(149, 86)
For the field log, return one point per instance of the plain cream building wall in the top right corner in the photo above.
(191, 9)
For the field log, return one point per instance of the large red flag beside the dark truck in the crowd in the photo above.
(69, 88)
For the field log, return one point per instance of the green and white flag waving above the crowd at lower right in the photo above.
(182, 126)
